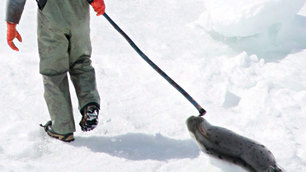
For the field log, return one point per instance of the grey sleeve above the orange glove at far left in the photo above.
(14, 10)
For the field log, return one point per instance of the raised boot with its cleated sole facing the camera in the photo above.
(89, 120)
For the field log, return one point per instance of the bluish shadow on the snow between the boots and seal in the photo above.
(136, 146)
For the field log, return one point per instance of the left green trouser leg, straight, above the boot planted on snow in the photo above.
(54, 65)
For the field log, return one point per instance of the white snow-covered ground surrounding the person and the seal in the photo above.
(244, 61)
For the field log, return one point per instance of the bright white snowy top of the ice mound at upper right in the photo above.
(245, 18)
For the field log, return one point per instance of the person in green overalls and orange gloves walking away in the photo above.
(64, 47)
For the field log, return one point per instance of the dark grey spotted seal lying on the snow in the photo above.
(227, 145)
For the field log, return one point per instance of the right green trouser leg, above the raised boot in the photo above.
(81, 71)
